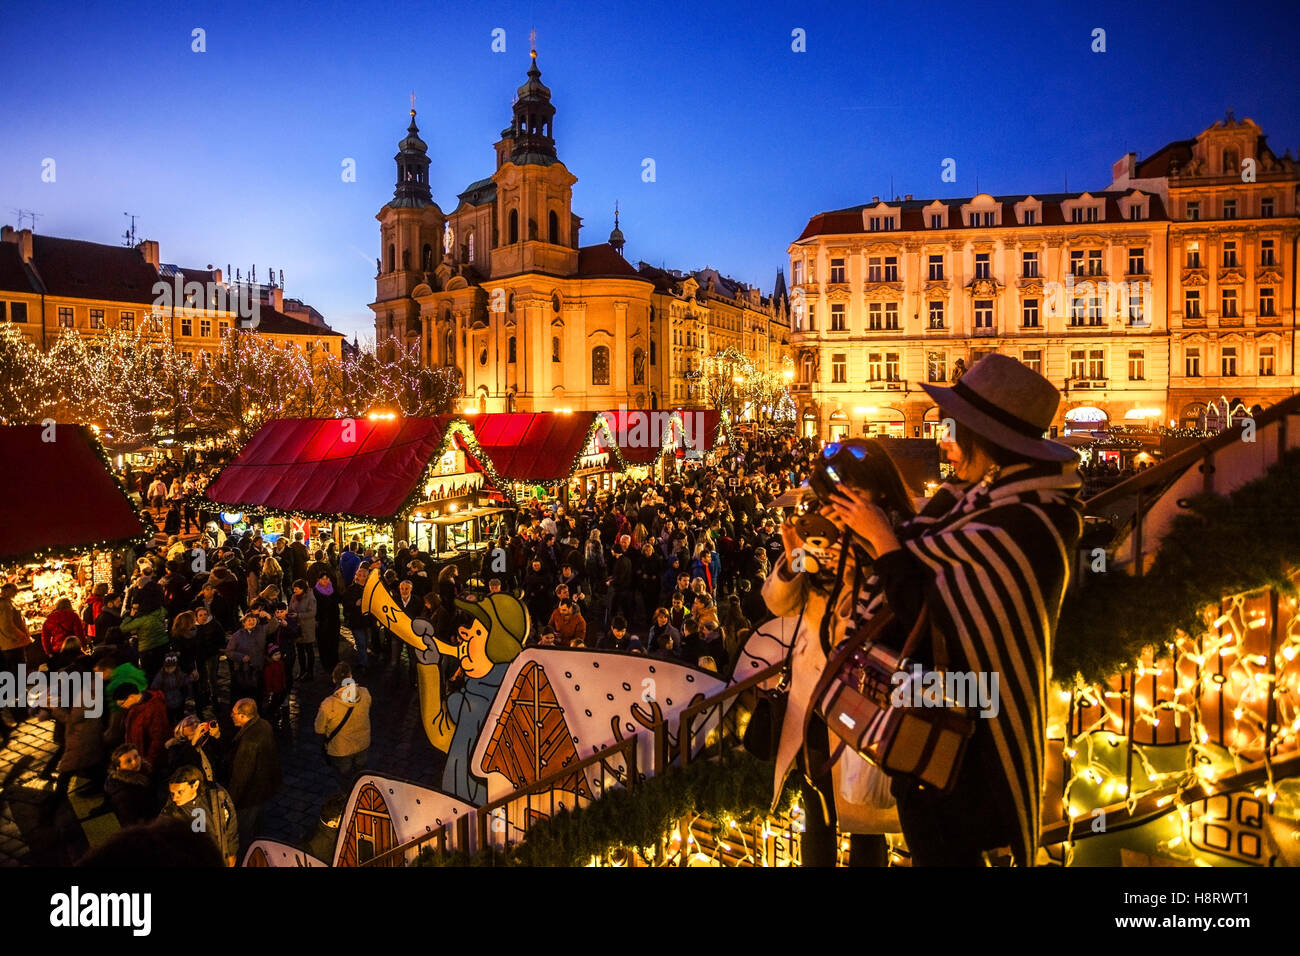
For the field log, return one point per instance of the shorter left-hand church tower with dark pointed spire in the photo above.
(410, 246)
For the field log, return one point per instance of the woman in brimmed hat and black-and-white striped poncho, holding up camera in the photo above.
(990, 559)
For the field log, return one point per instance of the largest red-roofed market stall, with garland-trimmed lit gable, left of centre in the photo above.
(380, 481)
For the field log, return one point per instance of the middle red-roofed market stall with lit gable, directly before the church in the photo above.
(551, 457)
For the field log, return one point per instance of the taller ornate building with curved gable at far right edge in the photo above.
(1232, 269)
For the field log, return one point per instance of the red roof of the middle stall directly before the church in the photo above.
(534, 445)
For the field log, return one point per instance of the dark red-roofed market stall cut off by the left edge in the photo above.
(66, 520)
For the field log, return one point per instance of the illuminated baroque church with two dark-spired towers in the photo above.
(501, 288)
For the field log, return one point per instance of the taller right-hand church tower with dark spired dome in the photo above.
(536, 228)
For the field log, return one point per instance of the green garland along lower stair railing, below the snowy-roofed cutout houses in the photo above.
(736, 788)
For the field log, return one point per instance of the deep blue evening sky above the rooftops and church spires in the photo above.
(235, 155)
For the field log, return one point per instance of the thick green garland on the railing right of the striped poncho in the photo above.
(1230, 544)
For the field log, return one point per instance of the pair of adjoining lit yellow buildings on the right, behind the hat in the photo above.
(1091, 289)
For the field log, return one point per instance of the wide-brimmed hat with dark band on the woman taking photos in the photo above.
(1007, 404)
